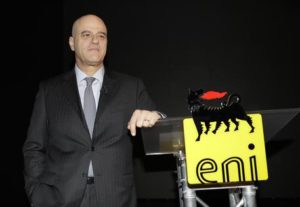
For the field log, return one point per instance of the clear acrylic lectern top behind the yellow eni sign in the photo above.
(166, 137)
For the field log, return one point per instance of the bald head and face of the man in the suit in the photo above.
(89, 41)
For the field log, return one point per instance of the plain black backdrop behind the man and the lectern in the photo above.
(247, 47)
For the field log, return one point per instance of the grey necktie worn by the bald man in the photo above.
(89, 107)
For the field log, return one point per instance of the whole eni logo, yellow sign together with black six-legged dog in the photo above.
(223, 155)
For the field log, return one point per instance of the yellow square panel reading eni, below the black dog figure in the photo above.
(225, 157)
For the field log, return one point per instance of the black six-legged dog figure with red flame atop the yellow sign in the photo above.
(222, 112)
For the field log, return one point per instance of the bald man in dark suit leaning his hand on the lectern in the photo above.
(68, 161)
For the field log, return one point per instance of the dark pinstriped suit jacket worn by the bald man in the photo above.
(58, 147)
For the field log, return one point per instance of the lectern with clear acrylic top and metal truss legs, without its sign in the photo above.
(167, 137)
